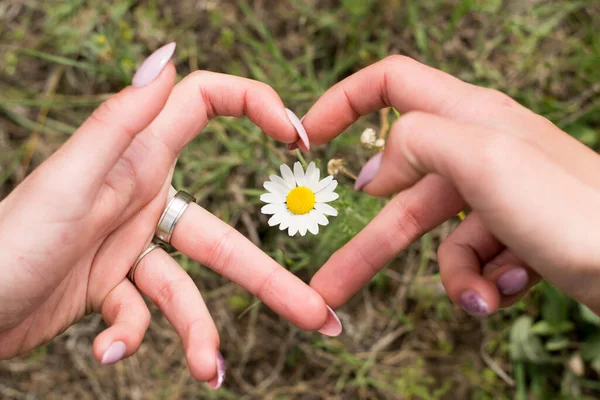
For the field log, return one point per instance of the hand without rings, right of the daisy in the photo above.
(533, 189)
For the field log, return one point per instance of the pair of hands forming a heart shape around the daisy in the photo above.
(74, 227)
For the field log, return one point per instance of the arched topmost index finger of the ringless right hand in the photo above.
(406, 85)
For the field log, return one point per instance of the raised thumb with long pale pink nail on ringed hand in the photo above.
(99, 143)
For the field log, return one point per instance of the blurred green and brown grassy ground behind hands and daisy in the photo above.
(403, 339)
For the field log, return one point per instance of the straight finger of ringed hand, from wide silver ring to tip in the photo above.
(210, 241)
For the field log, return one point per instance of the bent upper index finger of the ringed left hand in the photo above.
(193, 102)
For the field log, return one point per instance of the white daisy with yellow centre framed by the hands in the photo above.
(297, 200)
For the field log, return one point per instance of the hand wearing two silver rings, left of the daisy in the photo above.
(73, 229)
